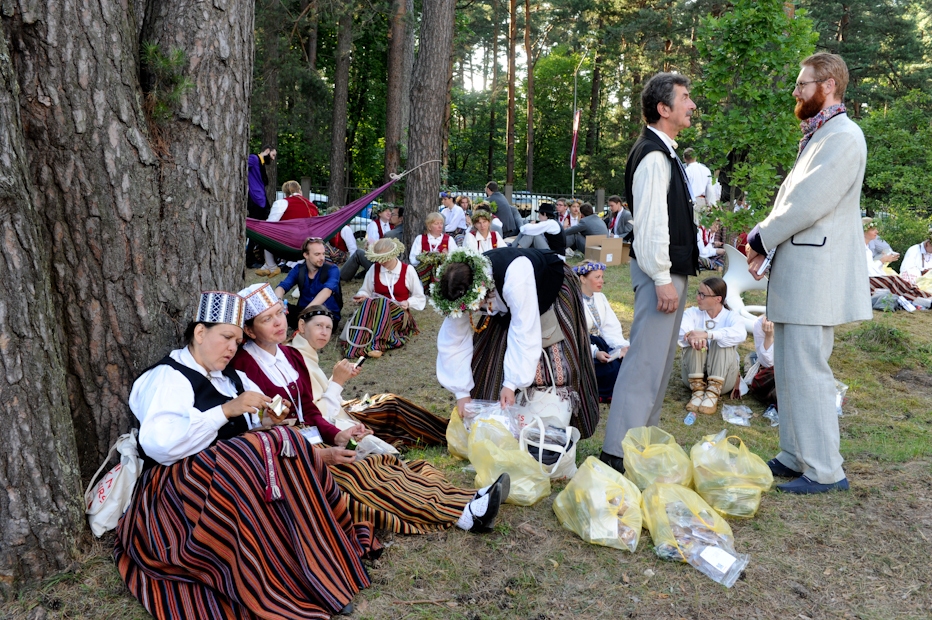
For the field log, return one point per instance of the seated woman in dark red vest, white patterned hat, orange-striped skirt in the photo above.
(407, 498)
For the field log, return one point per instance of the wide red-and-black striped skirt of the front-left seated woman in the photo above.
(199, 539)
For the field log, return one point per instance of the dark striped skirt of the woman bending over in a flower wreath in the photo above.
(573, 354)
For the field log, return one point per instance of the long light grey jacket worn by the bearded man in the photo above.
(819, 275)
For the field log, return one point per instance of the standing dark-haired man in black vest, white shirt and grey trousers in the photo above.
(664, 252)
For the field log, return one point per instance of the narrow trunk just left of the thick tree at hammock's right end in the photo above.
(395, 95)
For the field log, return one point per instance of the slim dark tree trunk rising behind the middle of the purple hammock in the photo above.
(337, 185)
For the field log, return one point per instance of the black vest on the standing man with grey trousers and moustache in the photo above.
(684, 250)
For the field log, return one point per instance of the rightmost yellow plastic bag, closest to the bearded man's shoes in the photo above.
(729, 476)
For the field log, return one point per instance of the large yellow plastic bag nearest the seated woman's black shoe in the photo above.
(493, 450)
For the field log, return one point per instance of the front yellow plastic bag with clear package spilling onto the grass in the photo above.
(686, 529)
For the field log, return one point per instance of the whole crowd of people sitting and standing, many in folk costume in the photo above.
(249, 447)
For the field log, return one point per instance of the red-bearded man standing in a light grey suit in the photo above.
(818, 275)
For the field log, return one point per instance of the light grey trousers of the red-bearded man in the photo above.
(809, 439)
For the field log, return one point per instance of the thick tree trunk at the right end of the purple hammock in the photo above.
(428, 84)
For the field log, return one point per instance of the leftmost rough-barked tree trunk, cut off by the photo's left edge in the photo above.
(40, 521)
